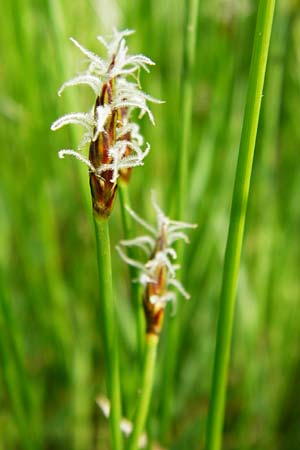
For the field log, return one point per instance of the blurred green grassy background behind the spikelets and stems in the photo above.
(51, 365)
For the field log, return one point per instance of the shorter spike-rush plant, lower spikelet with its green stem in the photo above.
(158, 277)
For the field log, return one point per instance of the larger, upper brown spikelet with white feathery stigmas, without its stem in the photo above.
(115, 141)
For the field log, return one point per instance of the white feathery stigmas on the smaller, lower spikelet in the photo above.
(167, 231)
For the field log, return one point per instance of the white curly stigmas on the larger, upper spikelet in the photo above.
(118, 66)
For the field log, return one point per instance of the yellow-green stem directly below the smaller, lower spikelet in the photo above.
(146, 390)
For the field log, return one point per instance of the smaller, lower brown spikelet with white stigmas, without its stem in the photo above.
(158, 273)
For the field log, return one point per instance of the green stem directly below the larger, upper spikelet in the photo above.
(107, 315)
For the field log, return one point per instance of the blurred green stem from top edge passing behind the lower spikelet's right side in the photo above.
(186, 93)
